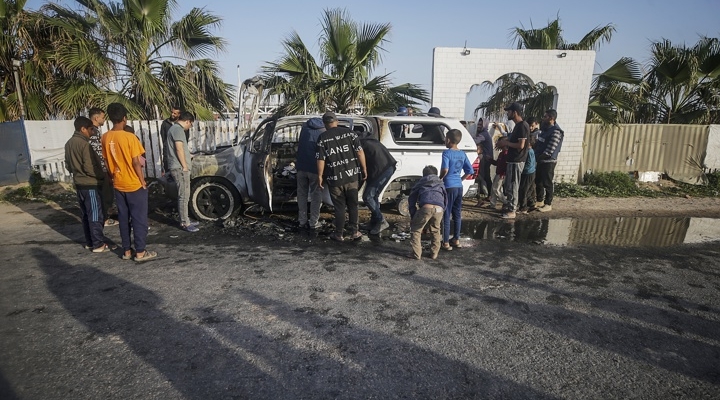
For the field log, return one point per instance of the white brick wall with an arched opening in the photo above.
(454, 74)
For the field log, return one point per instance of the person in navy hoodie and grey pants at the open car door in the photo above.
(306, 167)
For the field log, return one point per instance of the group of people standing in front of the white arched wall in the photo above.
(525, 166)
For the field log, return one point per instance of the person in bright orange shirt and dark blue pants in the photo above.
(122, 151)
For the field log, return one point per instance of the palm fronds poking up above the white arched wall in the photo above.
(550, 37)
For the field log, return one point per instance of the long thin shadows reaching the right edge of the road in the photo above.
(673, 352)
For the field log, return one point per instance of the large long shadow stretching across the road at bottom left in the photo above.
(213, 355)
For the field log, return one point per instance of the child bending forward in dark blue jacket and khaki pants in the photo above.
(430, 194)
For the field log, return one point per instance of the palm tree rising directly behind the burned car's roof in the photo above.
(342, 79)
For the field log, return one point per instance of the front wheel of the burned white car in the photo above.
(212, 199)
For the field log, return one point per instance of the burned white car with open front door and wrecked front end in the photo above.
(260, 168)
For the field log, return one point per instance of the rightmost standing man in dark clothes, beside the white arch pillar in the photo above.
(547, 148)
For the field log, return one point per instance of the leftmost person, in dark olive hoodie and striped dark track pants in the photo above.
(88, 176)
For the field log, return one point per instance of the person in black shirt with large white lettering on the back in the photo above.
(341, 165)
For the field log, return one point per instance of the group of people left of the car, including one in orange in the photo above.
(109, 167)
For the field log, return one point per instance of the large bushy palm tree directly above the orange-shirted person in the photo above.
(156, 62)
